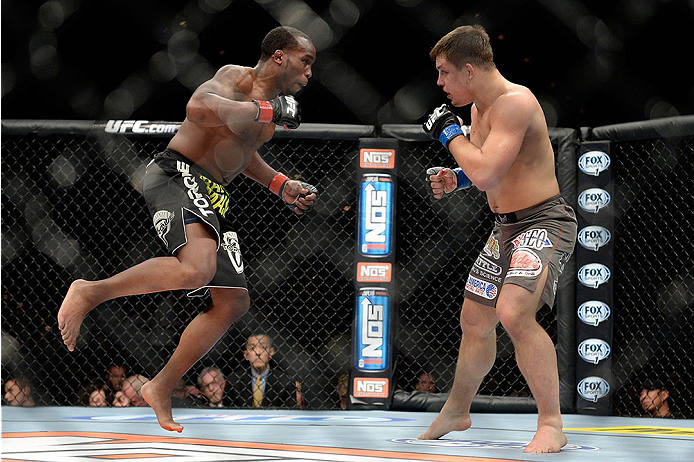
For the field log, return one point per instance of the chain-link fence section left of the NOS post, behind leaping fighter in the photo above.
(72, 208)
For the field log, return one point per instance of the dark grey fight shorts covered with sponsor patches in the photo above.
(520, 246)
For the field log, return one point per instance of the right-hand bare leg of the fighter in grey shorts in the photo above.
(537, 361)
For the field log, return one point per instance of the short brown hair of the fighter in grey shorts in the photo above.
(465, 44)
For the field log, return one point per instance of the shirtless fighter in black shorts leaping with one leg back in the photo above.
(227, 119)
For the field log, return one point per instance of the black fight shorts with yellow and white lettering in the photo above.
(177, 193)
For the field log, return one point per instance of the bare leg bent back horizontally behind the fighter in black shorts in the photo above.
(193, 266)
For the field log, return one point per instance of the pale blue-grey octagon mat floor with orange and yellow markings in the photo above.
(78, 434)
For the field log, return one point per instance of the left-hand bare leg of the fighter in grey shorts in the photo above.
(475, 360)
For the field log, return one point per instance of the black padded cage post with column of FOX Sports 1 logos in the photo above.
(595, 278)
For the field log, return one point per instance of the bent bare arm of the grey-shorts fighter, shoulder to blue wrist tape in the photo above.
(487, 165)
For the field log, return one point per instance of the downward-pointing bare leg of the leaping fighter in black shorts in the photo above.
(201, 334)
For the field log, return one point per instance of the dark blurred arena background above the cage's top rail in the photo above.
(589, 63)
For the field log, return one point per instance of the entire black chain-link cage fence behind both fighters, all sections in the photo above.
(72, 208)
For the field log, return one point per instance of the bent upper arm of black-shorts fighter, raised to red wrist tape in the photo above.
(213, 103)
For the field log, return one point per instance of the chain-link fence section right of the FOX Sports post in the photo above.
(654, 283)
